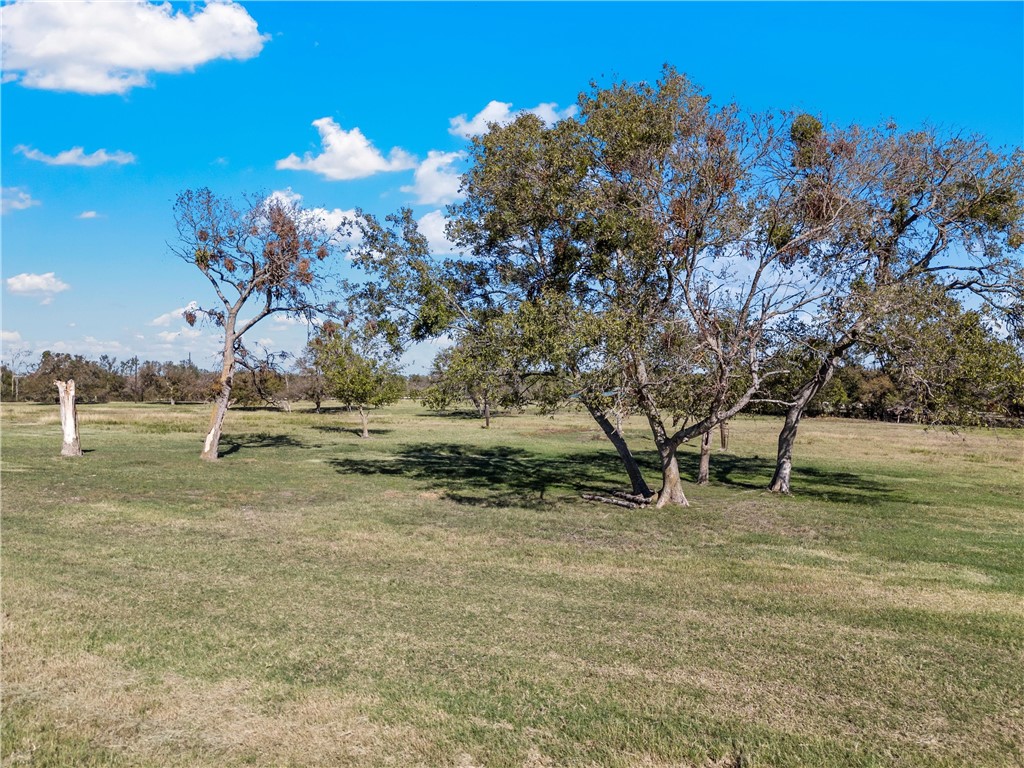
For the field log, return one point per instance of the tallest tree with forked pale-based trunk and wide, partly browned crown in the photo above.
(681, 229)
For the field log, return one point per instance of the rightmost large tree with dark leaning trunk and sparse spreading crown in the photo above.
(930, 215)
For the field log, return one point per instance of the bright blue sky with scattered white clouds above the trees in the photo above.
(109, 111)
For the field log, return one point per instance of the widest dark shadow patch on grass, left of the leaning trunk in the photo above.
(491, 477)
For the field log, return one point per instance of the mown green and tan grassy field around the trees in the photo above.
(440, 595)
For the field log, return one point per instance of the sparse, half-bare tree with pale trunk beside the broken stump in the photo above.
(263, 257)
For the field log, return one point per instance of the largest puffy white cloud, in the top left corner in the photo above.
(90, 47)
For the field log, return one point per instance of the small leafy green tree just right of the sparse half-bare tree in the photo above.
(363, 380)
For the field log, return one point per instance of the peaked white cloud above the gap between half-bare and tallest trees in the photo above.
(348, 155)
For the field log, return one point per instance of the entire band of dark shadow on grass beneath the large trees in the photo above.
(505, 476)
